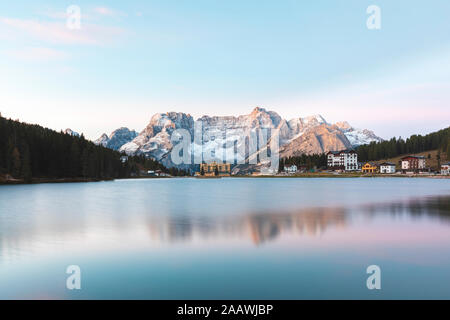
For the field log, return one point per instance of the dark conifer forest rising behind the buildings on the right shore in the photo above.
(415, 144)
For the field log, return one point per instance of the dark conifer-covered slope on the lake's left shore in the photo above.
(31, 151)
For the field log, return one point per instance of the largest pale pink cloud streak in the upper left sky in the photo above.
(58, 33)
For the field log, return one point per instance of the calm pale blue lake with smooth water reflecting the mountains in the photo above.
(230, 238)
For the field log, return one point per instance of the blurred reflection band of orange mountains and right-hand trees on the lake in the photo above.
(265, 226)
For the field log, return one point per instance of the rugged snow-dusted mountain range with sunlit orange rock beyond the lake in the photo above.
(310, 135)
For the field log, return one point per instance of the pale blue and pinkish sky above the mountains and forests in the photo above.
(132, 59)
